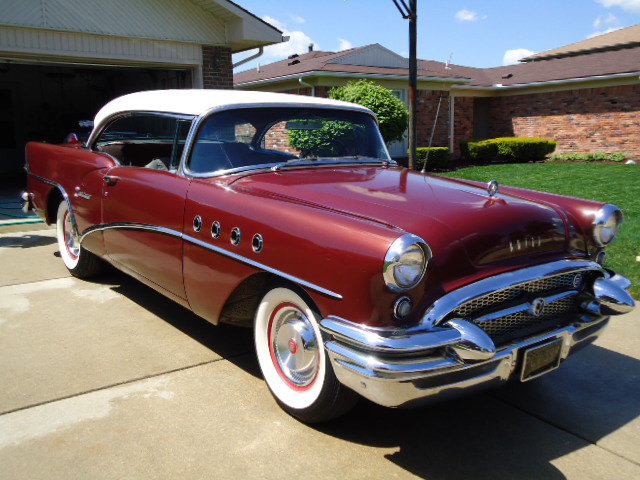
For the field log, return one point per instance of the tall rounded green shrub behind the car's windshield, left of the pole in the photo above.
(391, 112)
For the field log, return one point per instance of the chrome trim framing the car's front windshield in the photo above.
(183, 169)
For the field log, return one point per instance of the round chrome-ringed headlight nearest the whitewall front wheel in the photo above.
(406, 262)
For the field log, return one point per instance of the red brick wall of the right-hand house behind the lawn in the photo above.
(586, 120)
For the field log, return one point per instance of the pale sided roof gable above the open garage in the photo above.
(206, 22)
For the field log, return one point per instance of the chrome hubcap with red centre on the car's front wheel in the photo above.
(295, 346)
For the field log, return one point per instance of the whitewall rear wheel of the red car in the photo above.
(80, 262)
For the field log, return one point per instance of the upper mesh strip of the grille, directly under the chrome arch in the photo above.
(491, 300)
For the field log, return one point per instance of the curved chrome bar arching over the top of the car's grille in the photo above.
(447, 303)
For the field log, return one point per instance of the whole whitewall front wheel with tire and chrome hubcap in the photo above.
(293, 361)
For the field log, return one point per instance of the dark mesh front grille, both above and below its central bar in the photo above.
(515, 325)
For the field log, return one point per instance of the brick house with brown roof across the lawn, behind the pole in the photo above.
(585, 95)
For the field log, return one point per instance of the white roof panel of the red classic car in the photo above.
(199, 101)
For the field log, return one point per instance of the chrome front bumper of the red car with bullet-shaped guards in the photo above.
(438, 360)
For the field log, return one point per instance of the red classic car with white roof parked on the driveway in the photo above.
(286, 214)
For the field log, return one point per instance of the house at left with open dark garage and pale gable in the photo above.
(60, 61)
